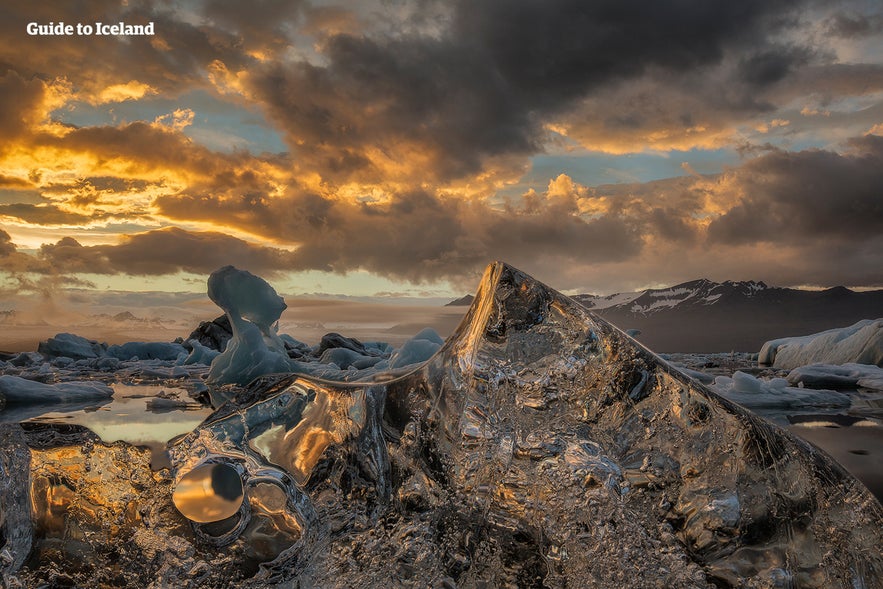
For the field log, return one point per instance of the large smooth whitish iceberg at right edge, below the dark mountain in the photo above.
(860, 343)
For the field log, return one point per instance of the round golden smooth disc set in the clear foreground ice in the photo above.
(209, 493)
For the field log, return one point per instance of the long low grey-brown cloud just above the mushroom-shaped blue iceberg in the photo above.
(163, 251)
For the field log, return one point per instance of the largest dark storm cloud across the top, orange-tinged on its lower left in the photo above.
(487, 84)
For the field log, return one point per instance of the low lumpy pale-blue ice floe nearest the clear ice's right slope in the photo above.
(754, 393)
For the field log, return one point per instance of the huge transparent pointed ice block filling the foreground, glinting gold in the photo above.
(539, 446)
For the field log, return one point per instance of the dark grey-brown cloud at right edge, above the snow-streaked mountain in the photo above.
(807, 196)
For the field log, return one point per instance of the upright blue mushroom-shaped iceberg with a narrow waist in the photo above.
(253, 308)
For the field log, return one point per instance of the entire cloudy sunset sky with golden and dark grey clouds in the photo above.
(396, 147)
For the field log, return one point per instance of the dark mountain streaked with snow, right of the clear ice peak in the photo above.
(706, 316)
